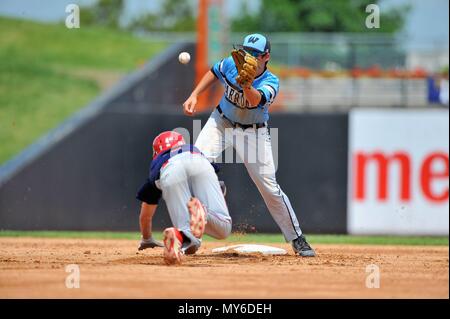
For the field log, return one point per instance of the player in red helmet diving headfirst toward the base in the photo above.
(187, 181)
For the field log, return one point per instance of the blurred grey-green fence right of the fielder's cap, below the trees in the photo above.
(322, 51)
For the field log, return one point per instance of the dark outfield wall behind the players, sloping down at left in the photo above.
(89, 180)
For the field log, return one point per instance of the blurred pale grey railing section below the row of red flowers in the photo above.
(342, 94)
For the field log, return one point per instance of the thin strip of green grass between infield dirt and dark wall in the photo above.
(245, 238)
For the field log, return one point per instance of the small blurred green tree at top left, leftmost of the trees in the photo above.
(104, 13)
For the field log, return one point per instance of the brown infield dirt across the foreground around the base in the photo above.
(36, 268)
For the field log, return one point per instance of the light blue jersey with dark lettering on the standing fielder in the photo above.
(233, 103)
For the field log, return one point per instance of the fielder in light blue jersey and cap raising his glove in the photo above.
(240, 121)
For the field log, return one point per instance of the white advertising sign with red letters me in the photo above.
(398, 172)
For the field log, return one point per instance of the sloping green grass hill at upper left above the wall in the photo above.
(47, 72)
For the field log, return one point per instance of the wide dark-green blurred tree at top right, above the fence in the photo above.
(317, 16)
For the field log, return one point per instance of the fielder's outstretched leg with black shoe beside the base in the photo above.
(258, 159)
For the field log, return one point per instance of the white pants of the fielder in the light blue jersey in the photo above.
(254, 148)
